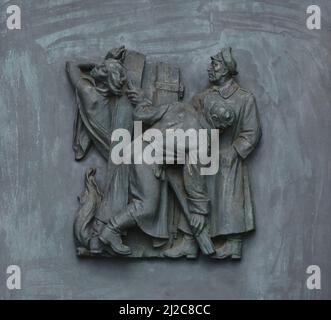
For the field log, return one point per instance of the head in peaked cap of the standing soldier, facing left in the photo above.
(222, 65)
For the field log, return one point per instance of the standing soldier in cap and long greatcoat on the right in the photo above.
(232, 213)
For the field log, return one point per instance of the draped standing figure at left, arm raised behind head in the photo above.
(101, 108)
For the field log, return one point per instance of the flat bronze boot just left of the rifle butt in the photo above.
(188, 248)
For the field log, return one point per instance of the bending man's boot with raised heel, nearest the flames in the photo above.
(111, 233)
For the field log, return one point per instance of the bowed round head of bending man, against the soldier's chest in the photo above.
(219, 116)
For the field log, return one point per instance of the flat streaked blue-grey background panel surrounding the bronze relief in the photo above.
(284, 64)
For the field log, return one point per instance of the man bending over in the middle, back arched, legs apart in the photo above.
(186, 180)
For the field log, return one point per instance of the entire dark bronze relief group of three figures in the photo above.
(180, 212)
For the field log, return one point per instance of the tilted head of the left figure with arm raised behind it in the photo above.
(112, 74)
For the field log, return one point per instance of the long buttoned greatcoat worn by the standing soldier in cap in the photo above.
(232, 210)
